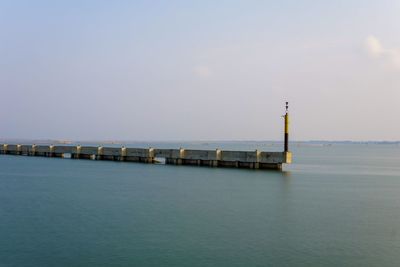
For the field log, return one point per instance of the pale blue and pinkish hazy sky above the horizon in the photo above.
(199, 70)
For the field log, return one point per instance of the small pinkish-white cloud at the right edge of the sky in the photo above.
(376, 50)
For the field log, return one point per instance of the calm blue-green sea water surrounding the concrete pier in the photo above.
(336, 206)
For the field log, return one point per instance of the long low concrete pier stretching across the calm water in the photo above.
(212, 158)
